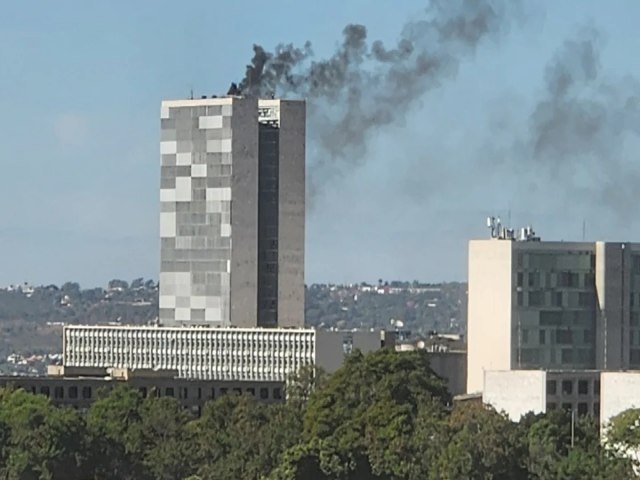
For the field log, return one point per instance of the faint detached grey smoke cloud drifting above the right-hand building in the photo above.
(584, 127)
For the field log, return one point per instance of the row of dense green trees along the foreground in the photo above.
(382, 416)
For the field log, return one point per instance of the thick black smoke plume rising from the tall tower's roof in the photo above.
(364, 84)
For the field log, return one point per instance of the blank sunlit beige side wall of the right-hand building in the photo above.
(489, 310)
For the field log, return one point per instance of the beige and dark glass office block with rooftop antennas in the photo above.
(551, 305)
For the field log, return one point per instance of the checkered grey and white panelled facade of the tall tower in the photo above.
(195, 205)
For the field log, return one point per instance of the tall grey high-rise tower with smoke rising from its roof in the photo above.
(232, 212)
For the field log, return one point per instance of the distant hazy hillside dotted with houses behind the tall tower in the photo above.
(31, 318)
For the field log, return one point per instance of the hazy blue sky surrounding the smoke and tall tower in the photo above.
(80, 93)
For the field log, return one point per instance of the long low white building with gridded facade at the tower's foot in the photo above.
(223, 354)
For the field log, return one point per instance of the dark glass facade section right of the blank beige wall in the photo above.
(554, 310)
